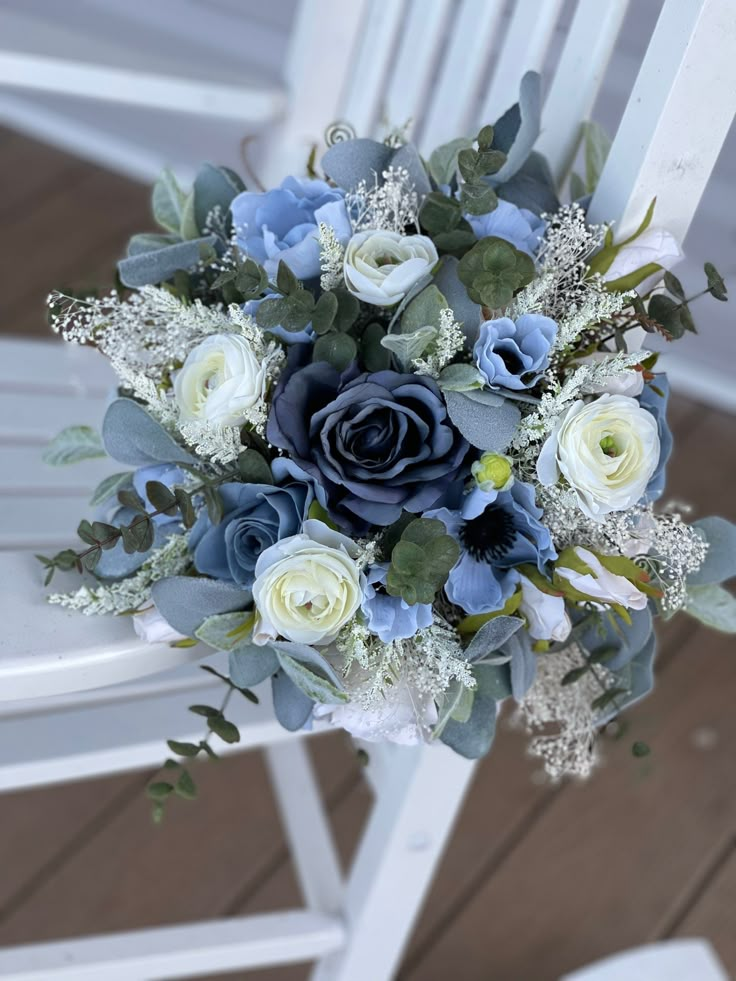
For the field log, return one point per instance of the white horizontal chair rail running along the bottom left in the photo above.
(181, 951)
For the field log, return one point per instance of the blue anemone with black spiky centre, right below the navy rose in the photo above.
(497, 531)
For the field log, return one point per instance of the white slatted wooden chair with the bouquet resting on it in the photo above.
(63, 677)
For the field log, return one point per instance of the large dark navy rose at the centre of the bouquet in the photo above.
(378, 444)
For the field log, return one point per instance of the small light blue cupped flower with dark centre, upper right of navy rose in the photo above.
(512, 354)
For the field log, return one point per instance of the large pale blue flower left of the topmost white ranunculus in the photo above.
(282, 224)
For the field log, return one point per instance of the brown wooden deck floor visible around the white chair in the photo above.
(537, 880)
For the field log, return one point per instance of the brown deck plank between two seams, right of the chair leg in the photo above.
(594, 874)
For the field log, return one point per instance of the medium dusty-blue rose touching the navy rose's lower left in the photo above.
(255, 517)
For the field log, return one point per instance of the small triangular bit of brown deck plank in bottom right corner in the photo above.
(712, 914)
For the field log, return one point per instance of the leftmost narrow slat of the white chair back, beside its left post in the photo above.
(362, 105)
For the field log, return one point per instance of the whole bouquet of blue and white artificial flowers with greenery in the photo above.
(389, 447)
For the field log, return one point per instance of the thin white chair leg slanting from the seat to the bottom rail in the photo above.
(306, 824)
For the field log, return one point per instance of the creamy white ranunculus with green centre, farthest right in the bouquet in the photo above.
(607, 450)
